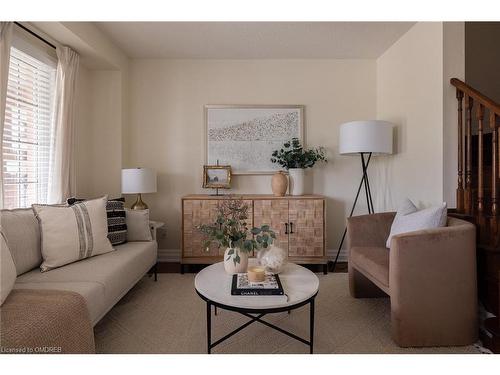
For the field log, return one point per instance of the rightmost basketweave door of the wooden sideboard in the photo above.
(306, 217)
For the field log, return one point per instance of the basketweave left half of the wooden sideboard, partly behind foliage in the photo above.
(197, 212)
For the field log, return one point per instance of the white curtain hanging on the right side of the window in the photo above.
(61, 170)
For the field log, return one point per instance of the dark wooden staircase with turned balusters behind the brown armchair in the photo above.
(477, 194)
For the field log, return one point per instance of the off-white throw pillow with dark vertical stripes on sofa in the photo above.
(72, 233)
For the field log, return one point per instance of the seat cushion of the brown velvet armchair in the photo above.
(373, 262)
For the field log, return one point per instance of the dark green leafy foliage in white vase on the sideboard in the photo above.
(293, 155)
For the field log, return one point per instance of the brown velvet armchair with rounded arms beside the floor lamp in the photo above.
(429, 275)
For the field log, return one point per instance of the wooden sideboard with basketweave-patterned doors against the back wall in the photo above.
(298, 221)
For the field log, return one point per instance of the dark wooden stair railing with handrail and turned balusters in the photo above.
(465, 196)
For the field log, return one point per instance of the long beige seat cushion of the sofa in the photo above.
(102, 280)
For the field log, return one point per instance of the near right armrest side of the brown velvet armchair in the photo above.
(432, 282)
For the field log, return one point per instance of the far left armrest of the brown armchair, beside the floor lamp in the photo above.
(369, 230)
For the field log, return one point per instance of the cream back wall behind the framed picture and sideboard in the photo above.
(166, 123)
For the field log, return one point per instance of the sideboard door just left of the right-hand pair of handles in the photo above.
(273, 212)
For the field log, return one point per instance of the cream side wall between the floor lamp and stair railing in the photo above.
(410, 94)
